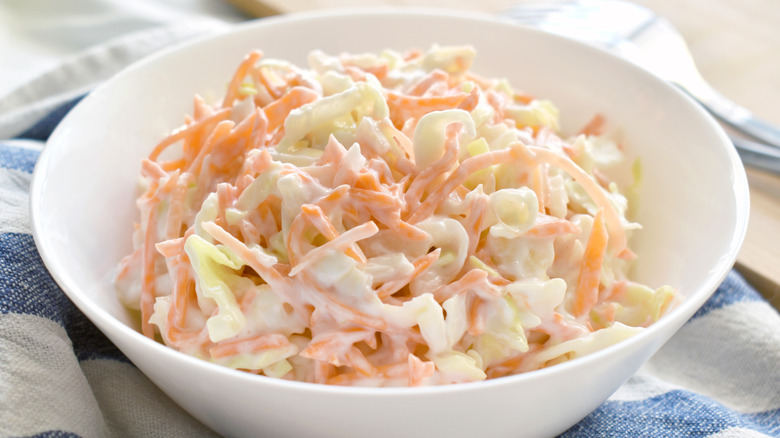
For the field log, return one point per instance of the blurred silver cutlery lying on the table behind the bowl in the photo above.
(639, 35)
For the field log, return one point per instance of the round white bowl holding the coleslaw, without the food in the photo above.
(694, 208)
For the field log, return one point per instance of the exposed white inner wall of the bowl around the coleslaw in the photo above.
(693, 197)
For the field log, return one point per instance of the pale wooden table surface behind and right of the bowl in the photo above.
(736, 47)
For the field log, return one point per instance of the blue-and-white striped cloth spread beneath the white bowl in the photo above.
(60, 377)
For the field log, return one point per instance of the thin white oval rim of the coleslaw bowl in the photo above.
(107, 322)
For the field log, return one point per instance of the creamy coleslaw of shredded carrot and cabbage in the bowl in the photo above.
(384, 219)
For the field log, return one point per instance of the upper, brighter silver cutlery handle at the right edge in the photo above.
(739, 118)
